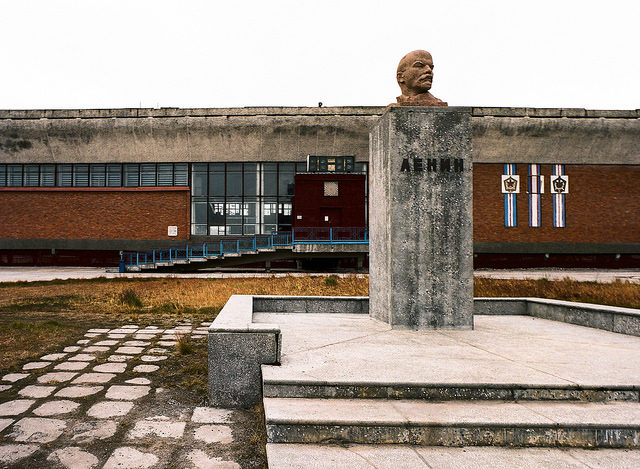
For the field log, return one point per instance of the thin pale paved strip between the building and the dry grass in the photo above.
(33, 274)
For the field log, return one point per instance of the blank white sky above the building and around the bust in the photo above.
(110, 54)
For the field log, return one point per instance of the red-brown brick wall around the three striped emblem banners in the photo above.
(603, 206)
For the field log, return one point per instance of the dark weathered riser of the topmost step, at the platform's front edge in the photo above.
(310, 388)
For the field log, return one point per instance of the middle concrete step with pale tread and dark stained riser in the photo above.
(454, 423)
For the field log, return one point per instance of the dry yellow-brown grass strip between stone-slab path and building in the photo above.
(76, 305)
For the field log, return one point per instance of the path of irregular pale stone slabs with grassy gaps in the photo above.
(96, 404)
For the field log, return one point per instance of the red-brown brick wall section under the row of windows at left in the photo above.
(94, 213)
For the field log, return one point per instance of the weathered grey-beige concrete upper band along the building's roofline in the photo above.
(500, 135)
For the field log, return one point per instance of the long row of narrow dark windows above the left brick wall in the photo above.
(94, 175)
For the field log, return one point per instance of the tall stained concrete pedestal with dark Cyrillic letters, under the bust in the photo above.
(420, 218)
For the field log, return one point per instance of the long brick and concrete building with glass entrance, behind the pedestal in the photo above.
(551, 186)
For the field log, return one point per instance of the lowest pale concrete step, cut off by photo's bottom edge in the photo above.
(297, 456)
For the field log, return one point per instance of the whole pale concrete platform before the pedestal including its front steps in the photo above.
(450, 398)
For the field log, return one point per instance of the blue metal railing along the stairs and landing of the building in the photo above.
(213, 249)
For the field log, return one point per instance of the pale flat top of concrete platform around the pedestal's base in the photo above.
(503, 351)
